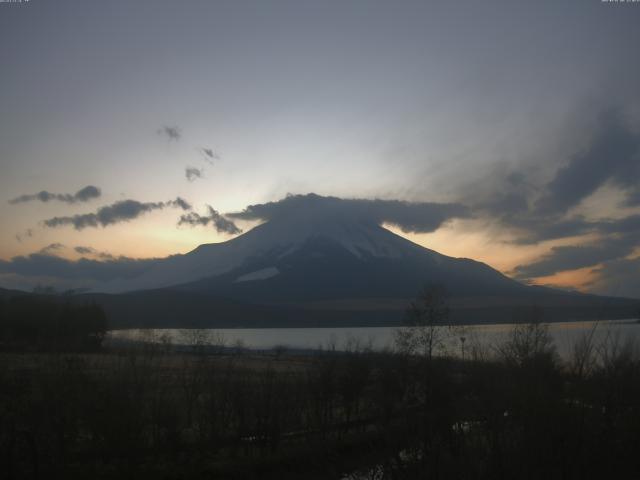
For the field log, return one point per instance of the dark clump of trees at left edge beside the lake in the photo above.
(46, 322)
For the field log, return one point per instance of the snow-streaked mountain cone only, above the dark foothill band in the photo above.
(318, 257)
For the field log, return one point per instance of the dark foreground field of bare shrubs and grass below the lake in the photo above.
(148, 411)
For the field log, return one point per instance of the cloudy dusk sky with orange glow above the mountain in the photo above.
(128, 130)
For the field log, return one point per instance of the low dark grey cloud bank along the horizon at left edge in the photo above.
(46, 265)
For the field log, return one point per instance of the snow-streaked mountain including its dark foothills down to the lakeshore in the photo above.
(319, 269)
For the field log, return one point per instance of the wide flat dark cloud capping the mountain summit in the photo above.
(409, 217)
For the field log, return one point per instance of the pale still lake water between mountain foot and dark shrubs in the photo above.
(564, 334)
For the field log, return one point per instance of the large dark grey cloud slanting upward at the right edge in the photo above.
(613, 156)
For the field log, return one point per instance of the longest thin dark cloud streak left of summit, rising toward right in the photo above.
(122, 211)
